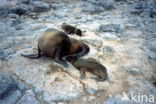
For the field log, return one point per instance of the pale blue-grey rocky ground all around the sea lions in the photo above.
(121, 35)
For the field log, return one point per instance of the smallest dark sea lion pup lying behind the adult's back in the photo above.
(71, 29)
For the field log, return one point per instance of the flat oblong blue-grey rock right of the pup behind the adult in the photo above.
(110, 28)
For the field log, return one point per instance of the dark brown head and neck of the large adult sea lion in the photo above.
(78, 48)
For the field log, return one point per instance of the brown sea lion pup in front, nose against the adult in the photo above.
(87, 65)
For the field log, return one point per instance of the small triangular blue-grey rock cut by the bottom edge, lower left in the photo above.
(28, 98)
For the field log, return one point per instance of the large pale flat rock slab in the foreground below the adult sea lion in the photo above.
(54, 86)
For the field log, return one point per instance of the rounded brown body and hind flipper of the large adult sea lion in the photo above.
(52, 43)
